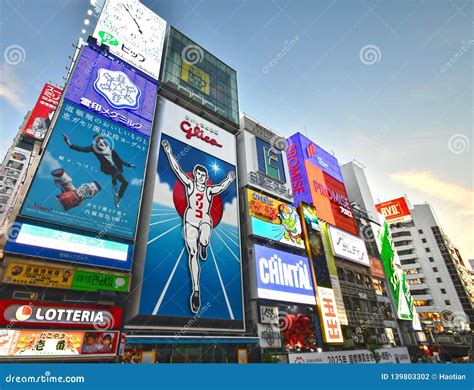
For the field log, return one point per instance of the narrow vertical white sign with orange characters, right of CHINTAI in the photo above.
(328, 316)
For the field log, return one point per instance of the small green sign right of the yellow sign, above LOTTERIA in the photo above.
(94, 281)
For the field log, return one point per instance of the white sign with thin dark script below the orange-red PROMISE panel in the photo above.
(348, 246)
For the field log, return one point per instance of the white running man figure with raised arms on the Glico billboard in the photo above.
(197, 223)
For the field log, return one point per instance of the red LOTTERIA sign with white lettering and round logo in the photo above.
(24, 313)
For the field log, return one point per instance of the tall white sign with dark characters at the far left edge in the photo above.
(12, 174)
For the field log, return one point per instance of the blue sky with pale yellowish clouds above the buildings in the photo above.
(388, 83)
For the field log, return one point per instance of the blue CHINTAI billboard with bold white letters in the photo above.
(283, 276)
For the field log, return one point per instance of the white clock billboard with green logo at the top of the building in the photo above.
(133, 33)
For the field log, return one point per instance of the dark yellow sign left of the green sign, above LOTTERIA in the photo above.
(31, 274)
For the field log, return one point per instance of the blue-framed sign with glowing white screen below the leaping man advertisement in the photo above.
(58, 245)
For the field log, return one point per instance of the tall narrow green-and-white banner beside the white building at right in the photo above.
(395, 276)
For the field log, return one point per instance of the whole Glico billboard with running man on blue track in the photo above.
(192, 261)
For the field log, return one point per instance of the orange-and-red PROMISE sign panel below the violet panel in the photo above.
(330, 199)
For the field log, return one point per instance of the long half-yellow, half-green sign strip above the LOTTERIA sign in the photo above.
(30, 273)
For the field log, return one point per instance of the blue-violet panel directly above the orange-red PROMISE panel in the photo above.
(317, 156)
